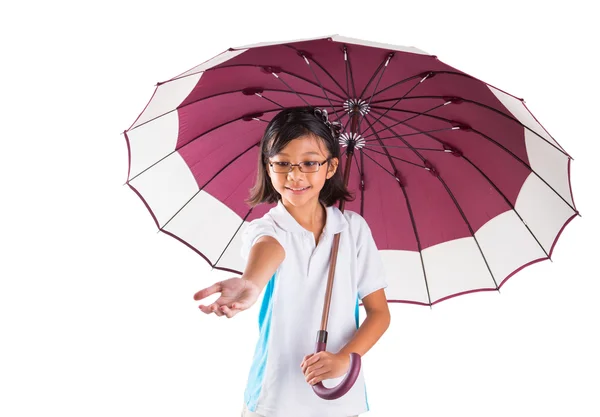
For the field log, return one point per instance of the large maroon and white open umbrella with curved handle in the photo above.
(460, 184)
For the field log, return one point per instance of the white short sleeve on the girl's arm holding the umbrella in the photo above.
(371, 274)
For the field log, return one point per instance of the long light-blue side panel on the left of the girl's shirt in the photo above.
(259, 361)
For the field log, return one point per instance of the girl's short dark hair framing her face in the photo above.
(289, 124)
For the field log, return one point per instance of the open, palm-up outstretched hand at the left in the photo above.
(237, 294)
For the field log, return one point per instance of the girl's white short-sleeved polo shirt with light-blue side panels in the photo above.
(292, 307)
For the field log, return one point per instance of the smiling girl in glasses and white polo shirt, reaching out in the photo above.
(288, 253)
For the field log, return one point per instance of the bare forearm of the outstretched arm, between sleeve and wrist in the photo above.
(265, 257)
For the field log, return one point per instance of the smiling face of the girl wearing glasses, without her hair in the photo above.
(302, 149)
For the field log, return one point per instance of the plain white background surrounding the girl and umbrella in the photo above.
(96, 309)
